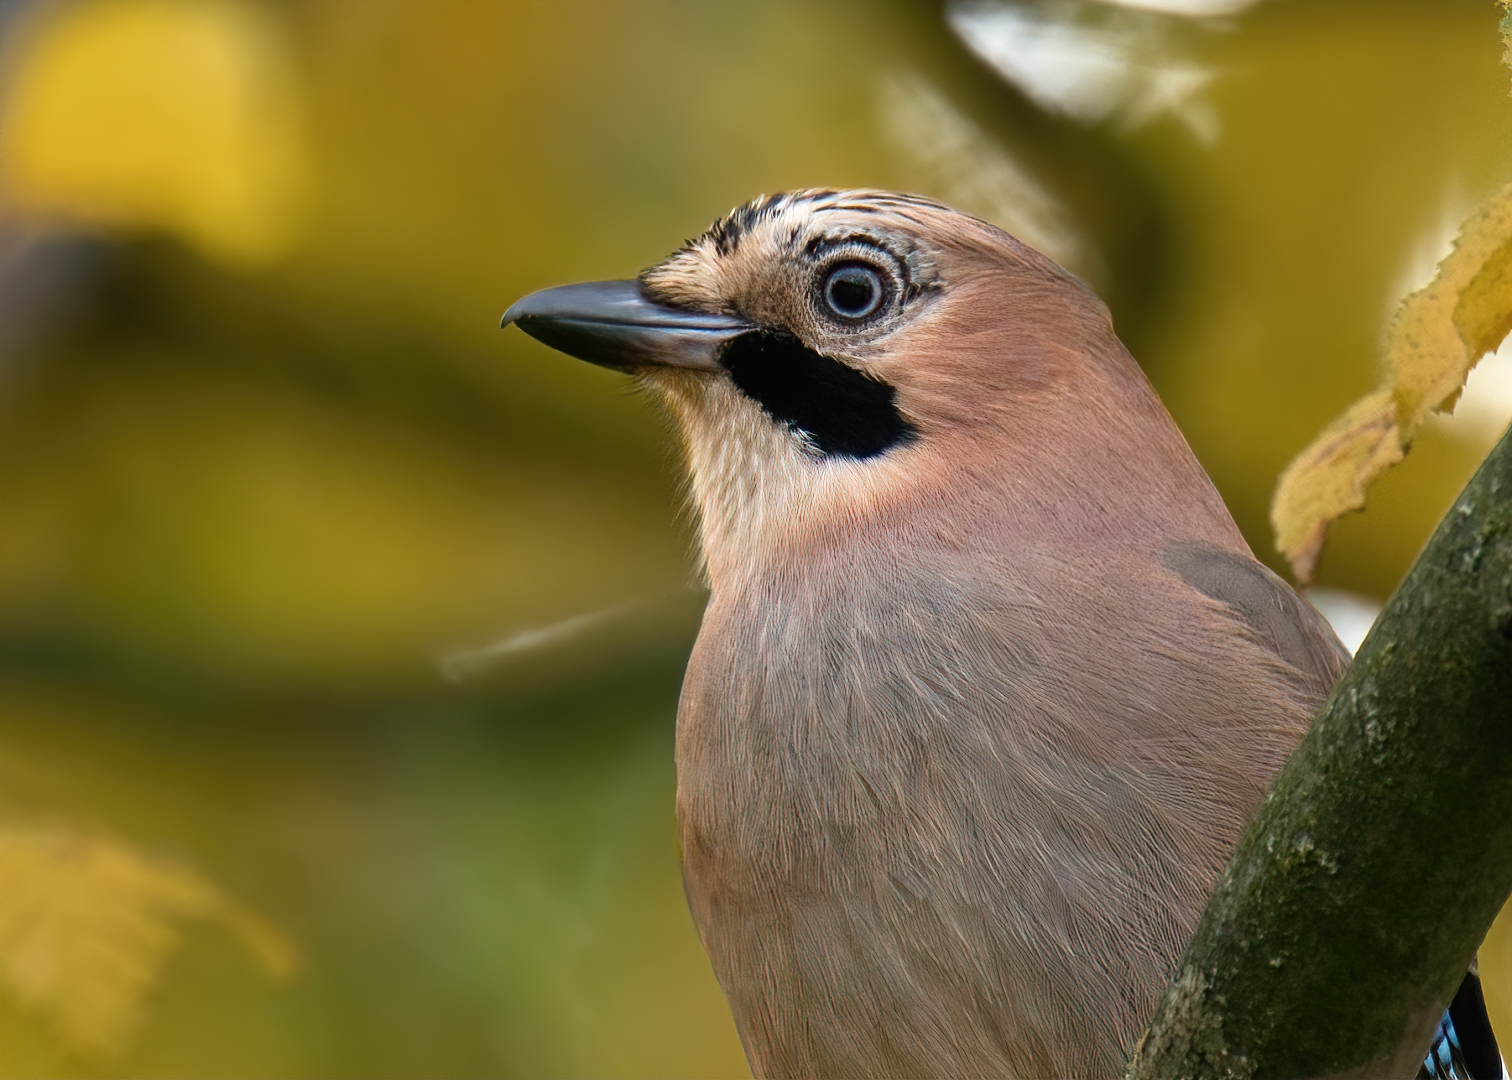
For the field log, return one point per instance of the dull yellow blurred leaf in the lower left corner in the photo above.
(87, 925)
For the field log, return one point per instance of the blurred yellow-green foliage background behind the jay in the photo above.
(317, 585)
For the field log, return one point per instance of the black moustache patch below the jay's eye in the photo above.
(837, 409)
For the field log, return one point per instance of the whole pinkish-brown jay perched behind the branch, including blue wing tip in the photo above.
(988, 684)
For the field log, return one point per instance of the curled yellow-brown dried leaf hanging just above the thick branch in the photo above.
(1436, 338)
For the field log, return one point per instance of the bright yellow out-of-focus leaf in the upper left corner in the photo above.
(167, 114)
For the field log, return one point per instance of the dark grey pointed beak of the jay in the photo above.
(615, 324)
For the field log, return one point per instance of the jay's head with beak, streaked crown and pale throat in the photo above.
(843, 361)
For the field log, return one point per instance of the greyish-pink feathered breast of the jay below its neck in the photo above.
(919, 802)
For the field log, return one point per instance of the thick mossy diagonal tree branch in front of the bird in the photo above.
(1375, 867)
